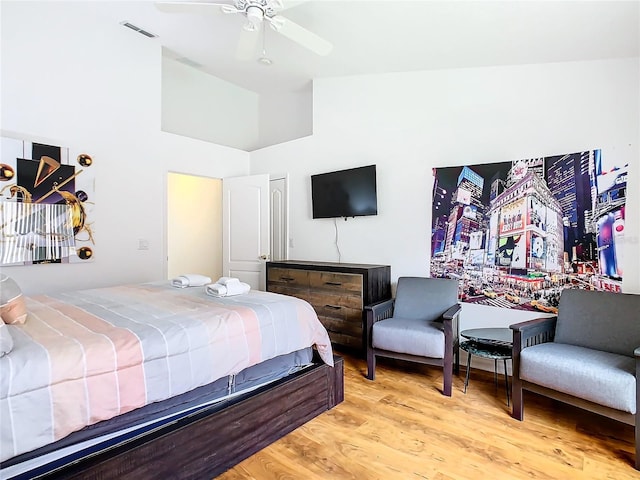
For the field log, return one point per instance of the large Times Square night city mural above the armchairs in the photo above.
(515, 234)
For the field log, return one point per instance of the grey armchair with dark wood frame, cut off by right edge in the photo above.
(587, 356)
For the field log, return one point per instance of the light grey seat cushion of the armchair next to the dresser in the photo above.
(406, 335)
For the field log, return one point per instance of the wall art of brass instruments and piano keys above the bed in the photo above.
(46, 204)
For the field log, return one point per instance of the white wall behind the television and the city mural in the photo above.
(409, 123)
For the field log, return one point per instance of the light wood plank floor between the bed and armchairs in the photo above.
(401, 427)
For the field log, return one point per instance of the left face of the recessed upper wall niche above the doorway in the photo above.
(199, 105)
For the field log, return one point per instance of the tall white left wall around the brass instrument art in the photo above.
(71, 80)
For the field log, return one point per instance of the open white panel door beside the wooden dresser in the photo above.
(245, 228)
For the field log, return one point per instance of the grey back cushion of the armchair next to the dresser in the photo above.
(424, 298)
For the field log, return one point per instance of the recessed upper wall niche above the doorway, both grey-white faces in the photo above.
(198, 105)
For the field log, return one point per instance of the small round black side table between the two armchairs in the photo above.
(492, 343)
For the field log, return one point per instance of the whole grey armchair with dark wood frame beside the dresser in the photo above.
(419, 325)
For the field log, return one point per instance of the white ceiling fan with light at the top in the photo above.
(257, 13)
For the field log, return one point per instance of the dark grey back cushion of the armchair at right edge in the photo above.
(599, 320)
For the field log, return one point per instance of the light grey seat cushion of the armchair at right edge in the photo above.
(601, 377)
